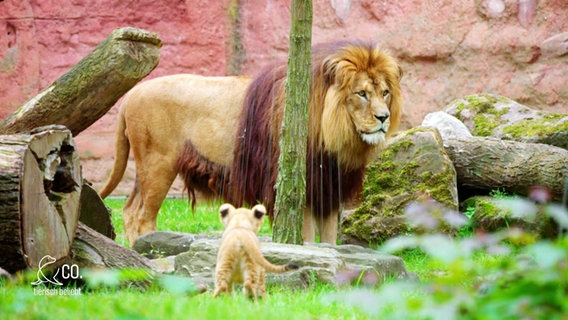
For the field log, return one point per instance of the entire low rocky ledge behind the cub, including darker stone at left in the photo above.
(195, 256)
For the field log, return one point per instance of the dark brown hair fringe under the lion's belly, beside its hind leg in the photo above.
(198, 173)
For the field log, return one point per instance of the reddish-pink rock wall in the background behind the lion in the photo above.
(448, 49)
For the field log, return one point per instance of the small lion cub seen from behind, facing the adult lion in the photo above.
(239, 259)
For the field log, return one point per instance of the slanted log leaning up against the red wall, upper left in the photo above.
(89, 89)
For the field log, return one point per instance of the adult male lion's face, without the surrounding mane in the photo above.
(367, 105)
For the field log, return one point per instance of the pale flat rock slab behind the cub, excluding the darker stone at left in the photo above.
(319, 262)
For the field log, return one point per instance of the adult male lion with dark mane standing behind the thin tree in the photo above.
(227, 143)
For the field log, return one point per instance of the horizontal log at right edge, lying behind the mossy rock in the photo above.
(487, 163)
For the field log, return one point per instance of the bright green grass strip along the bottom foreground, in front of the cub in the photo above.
(21, 303)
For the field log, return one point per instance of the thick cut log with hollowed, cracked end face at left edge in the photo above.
(40, 186)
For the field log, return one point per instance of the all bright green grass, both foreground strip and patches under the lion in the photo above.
(17, 299)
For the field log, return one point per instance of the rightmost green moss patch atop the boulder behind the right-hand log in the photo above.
(547, 125)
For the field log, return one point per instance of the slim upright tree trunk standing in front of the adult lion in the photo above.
(291, 181)
